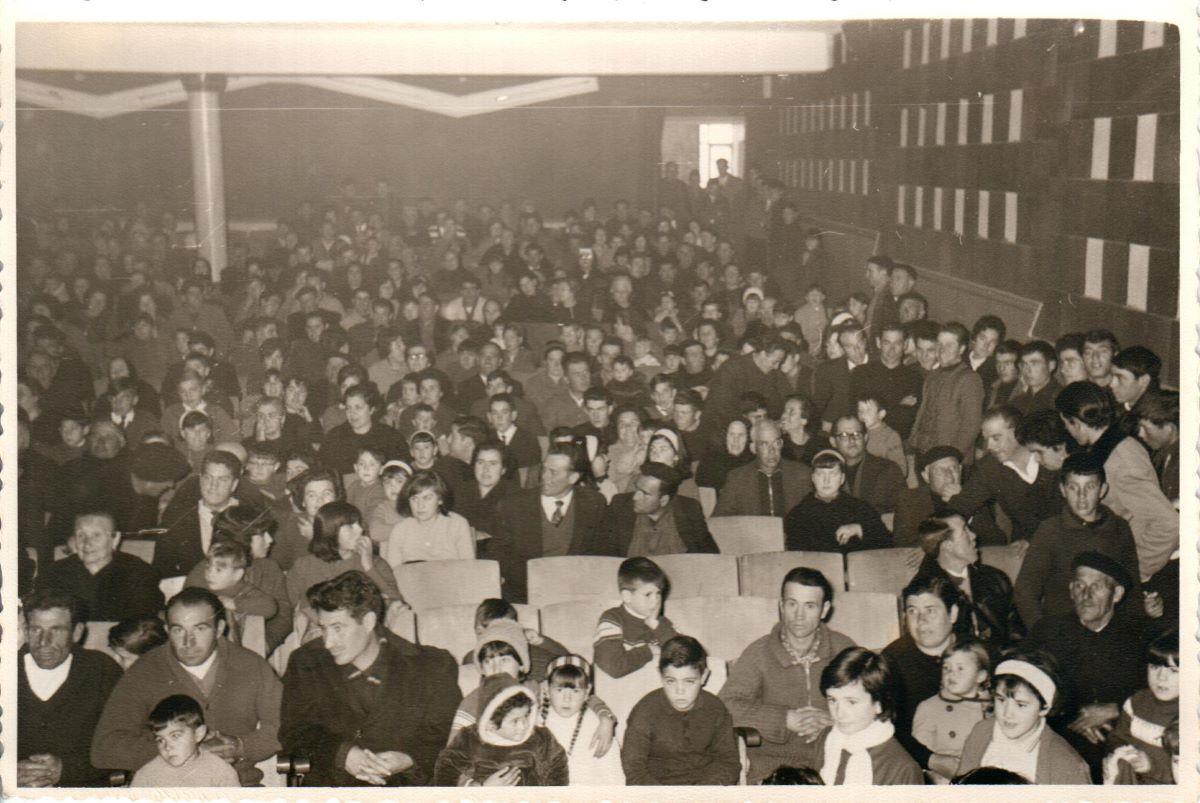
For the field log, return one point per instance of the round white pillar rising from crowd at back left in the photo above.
(208, 172)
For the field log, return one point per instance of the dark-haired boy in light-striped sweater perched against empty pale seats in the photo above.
(632, 636)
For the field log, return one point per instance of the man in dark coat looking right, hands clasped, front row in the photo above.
(363, 705)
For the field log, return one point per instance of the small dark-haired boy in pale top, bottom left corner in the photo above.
(178, 726)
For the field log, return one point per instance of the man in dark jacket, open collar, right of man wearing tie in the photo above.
(653, 520)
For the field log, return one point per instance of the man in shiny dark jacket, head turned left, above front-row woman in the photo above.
(988, 612)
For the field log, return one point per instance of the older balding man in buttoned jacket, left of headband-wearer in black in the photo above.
(771, 486)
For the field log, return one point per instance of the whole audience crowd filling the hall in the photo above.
(383, 385)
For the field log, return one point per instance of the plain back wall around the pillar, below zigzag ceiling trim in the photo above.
(286, 143)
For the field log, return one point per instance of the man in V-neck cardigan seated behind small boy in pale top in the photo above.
(238, 690)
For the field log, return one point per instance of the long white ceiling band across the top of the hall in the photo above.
(391, 49)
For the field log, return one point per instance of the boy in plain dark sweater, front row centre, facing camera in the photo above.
(681, 735)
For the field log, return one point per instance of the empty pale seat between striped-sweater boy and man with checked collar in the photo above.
(725, 626)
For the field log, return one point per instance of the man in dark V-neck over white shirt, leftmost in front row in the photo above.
(58, 712)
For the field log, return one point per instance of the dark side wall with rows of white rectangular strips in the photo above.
(1034, 157)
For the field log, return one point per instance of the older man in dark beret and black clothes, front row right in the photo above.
(1101, 651)
